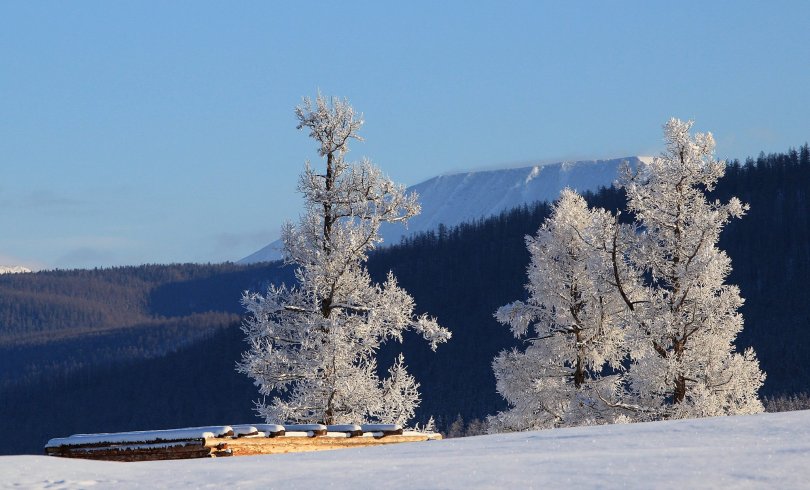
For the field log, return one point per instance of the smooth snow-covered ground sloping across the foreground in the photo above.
(759, 451)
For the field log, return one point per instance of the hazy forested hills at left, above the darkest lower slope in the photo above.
(62, 320)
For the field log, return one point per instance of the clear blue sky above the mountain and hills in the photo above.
(152, 132)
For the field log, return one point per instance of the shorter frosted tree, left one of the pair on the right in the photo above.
(577, 318)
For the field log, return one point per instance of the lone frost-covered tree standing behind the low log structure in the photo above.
(313, 346)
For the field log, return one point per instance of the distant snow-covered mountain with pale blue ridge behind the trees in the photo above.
(460, 197)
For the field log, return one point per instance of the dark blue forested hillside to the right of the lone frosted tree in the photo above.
(463, 274)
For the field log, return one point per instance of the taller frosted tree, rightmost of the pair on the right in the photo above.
(687, 318)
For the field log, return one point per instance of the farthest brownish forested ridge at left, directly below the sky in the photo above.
(56, 305)
